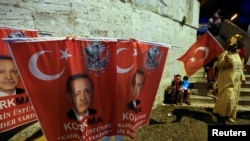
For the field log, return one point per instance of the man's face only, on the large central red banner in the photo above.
(81, 95)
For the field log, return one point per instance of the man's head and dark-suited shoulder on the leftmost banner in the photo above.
(9, 77)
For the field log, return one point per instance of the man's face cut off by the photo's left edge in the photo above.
(9, 76)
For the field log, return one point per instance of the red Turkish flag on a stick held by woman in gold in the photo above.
(200, 53)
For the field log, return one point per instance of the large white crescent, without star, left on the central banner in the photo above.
(36, 72)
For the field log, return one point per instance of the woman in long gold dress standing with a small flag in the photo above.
(229, 80)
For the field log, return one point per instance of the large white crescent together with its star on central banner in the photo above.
(39, 74)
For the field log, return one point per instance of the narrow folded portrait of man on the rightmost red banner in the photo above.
(138, 79)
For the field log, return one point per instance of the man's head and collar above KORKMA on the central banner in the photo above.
(80, 90)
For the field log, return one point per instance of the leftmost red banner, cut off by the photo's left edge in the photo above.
(16, 111)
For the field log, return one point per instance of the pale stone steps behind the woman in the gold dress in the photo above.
(202, 97)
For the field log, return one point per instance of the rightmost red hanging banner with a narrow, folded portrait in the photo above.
(139, 67)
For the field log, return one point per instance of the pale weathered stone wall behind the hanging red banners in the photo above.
(172, 22)
